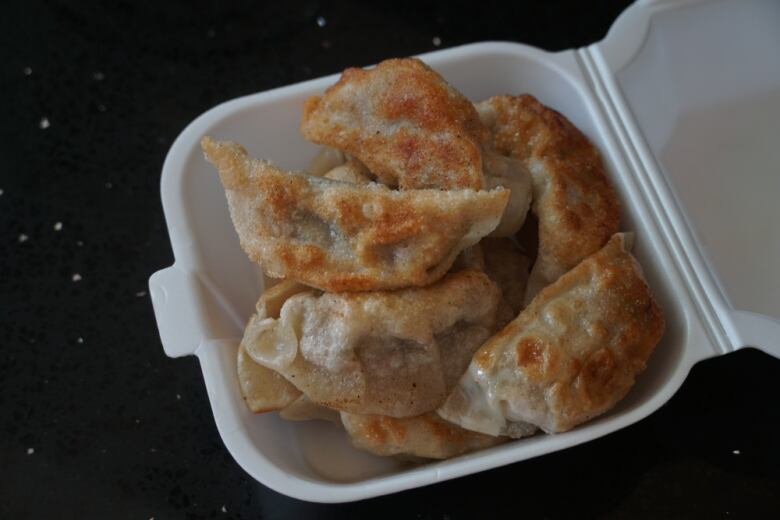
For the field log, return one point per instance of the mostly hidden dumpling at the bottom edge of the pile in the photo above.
(427, 436)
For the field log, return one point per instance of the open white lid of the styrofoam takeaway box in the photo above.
(700, 101)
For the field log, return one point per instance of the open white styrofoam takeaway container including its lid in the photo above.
(682, 99)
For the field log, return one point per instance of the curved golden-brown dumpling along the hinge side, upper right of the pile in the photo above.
(575, 204)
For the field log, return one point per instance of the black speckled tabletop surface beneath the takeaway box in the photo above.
(95, 422)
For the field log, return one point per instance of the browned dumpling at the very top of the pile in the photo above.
(403, 121)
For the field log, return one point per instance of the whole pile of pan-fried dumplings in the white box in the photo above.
(413, 309)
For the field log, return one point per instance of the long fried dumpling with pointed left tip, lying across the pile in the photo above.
(339, 236)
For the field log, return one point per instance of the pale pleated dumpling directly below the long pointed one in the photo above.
(396, 353)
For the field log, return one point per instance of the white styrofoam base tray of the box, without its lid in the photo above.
(313, 461)
